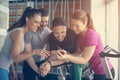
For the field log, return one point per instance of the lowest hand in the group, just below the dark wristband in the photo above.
(44, 69)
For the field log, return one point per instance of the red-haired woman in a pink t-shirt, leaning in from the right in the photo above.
(90, 45)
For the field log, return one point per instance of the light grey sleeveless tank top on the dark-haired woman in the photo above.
(5, 53)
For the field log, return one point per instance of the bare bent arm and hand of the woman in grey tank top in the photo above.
(17, 42)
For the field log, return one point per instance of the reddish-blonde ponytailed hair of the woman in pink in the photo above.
(83, 17)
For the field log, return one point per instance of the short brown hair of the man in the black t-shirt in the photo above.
(58, 22)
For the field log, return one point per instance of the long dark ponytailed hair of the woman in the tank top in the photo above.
(28, 12)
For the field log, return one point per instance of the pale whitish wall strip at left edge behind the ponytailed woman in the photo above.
(4, 17)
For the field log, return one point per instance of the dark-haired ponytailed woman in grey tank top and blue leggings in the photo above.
(12, 50)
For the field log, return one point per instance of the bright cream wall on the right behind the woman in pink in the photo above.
(105, 19)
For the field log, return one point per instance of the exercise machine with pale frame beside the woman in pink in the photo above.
(107, 53)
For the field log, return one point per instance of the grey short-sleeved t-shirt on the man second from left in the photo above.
(37, 40)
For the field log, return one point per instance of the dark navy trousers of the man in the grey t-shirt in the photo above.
(30, 74)
